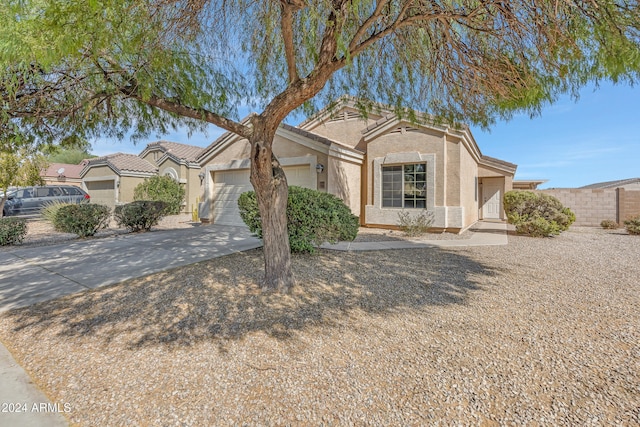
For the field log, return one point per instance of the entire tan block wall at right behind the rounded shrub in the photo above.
(591, 206)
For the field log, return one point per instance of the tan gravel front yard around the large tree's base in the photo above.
(538, 332)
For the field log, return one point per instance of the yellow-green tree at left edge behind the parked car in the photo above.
(19, 167)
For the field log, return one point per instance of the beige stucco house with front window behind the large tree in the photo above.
(378, 166)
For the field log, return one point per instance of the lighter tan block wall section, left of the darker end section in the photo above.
(590, 206)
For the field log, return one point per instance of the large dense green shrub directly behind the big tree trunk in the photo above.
(313, 218)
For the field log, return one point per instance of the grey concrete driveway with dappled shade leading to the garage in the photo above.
(31, 275)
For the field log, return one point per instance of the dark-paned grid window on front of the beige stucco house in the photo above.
(404, 186)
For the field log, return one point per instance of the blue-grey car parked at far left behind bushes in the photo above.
(30, 200)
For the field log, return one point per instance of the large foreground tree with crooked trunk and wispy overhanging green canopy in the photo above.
(150, 66)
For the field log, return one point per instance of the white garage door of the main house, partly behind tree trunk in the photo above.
(230, 184)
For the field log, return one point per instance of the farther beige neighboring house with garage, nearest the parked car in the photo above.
(110, 180)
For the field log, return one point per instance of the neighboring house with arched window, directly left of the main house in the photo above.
(179, 161)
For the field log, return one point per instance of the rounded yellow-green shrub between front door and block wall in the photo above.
(537, 214)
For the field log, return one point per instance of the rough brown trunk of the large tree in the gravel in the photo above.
(270, 184)
